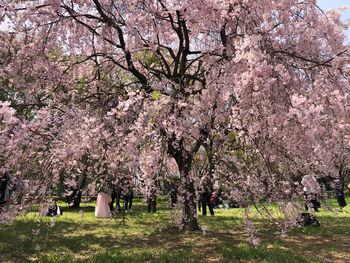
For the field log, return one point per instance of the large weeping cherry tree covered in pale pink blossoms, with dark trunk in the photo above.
(260, 85)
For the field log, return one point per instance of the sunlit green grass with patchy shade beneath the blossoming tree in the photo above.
(155, 238)
